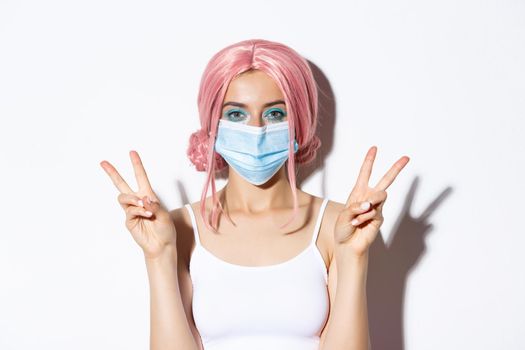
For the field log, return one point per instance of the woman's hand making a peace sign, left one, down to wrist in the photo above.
(150, 223)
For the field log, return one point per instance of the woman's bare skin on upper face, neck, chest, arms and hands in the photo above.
(166, 237)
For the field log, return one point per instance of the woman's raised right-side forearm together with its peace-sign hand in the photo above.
(356, 227)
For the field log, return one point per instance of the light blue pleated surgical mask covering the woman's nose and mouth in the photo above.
(256, 153)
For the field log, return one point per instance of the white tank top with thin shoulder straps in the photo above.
(282, 306)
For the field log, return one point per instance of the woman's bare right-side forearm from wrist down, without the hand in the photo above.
(347, 327)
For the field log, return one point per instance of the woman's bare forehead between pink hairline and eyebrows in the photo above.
(253, 87)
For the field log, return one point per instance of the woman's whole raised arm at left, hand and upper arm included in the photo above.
(156, 232)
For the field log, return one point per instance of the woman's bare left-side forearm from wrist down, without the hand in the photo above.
(169, 328)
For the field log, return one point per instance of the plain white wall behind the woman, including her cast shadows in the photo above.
(442, 82)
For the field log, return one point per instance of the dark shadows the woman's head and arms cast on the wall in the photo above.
(389, 266)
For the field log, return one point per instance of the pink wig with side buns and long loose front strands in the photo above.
(294, 77)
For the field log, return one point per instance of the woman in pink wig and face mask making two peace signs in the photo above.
(265, 265)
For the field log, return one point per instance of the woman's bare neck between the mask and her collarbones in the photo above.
(241, 195)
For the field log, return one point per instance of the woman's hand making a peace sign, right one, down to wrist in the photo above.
(358, 235)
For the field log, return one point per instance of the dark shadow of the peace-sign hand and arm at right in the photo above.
(388, 271)
